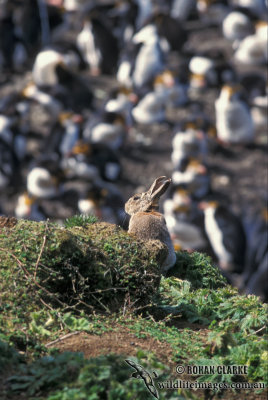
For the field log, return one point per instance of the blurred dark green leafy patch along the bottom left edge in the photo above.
(69, 376)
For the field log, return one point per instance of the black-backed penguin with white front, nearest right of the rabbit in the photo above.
(225, 234)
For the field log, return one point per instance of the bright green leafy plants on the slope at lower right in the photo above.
(238, 324)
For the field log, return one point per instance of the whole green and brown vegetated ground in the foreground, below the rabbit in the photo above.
(95, 291)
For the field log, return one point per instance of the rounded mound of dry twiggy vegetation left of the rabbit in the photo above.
(93, 266)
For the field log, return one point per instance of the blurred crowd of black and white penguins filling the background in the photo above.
(58, 49)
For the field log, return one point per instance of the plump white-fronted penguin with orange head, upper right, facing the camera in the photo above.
(233, 119)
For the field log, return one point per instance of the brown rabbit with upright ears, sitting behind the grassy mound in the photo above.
(147, 223)
